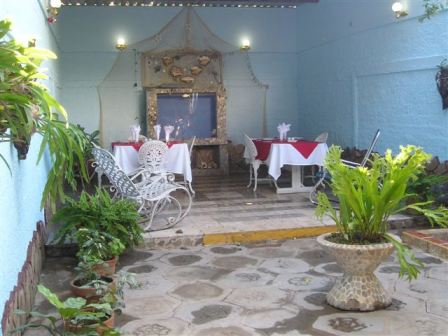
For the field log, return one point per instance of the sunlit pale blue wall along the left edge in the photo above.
(21, 191)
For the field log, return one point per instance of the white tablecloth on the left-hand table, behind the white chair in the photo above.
(178, 159)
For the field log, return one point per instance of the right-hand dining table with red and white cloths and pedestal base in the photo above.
(295, 153)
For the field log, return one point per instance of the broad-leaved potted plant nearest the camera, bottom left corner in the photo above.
(76, 317)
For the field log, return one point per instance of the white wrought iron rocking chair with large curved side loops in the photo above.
(153, 195)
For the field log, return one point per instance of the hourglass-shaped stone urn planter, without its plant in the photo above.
(359, 288)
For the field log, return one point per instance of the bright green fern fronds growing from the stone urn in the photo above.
(368, 197)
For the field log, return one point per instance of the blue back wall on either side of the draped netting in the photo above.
(88, 35)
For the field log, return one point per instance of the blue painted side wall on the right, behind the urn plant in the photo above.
(360, 69)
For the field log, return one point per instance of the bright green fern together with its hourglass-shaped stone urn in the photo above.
(367, 198)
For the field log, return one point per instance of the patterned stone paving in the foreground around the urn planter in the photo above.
(273, 288)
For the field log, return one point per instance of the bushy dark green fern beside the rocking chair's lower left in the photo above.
(116, 217)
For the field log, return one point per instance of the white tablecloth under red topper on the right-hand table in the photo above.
(285, 154)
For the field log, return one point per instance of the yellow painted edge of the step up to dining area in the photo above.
(253, 236)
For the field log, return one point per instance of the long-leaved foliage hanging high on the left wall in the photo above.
(26, 107)
